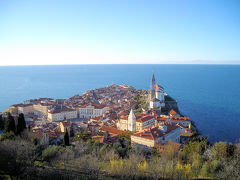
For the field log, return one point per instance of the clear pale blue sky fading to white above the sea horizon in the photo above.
(39, 32)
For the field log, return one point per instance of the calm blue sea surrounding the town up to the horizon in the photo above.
(208, 94)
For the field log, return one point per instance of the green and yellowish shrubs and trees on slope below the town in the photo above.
(87, 158)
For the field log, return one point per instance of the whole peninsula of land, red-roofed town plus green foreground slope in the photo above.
(112, 132)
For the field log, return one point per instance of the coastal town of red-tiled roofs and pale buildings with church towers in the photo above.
(150, 117)
